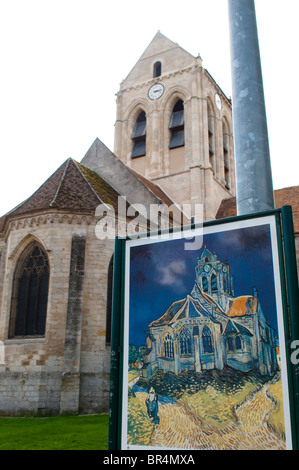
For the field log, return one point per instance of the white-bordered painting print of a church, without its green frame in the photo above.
(203, 362)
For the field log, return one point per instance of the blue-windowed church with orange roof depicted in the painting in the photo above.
(211, 329)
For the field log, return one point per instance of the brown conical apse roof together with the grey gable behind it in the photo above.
(100, 178)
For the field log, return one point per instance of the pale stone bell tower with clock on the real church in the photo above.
(174, 126)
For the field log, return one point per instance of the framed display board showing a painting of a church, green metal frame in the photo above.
(203, 324)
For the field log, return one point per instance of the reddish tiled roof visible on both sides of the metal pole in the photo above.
(285, 196)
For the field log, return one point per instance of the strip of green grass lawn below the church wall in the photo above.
(56, 433)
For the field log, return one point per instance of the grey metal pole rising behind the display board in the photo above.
(254, 187)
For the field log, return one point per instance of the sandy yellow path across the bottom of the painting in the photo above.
(179, 429)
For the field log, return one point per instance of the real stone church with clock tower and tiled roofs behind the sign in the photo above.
(173, 144)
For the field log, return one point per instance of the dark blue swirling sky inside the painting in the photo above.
(161, 273)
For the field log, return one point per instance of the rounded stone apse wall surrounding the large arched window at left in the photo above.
(68, 369)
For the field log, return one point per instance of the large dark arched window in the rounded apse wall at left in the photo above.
(30, 294)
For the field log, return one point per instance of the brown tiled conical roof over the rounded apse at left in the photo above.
(71, 187)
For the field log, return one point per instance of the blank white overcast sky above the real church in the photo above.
(62, 62)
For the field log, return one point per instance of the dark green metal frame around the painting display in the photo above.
(290, 302)
